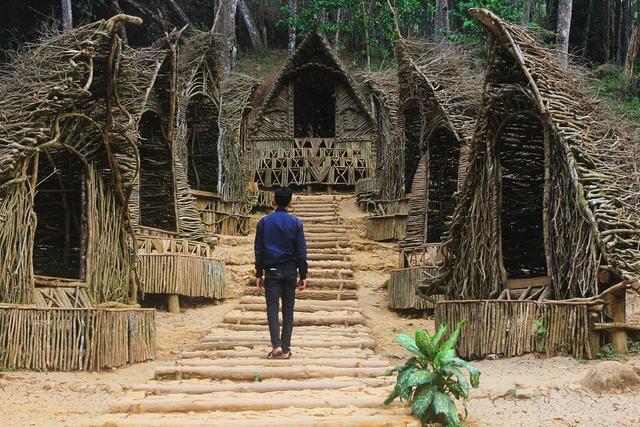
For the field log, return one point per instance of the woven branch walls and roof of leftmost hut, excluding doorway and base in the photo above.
(69, 112)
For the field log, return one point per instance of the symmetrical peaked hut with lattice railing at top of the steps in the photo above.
(314, 128)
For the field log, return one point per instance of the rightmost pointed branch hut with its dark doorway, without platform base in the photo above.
(586, 191)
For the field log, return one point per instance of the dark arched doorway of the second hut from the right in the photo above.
(444, 155)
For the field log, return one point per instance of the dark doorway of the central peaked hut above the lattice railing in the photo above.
(314, 100)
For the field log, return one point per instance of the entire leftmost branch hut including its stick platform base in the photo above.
(67, 161)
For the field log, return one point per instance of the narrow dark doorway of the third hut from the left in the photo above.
(202, 144)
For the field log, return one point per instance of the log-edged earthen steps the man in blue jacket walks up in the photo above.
(333, 379)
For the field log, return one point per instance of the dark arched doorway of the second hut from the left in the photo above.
(157, 194)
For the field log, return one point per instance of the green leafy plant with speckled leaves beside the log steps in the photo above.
(433, 377)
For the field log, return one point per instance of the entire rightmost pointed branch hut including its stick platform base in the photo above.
(544, 242)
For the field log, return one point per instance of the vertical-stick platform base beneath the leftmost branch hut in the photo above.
(68, 339)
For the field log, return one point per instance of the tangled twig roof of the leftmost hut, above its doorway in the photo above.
(60, 82)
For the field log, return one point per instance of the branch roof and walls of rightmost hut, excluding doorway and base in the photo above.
(592, 183)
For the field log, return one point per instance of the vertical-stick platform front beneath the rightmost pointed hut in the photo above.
(514, 328)
